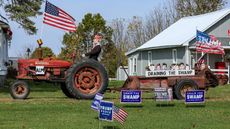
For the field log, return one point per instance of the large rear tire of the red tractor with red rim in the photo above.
(86, 78)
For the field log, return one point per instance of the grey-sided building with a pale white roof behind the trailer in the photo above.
(176, 43)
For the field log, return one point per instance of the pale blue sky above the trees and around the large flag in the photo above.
(52, 37)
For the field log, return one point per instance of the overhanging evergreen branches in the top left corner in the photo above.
(21, 11)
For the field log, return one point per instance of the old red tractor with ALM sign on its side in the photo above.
(78, 80)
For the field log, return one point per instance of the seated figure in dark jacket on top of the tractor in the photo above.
(96, 50)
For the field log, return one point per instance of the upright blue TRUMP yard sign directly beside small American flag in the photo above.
(106, 111)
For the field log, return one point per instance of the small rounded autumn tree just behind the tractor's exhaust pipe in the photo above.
(46, 52)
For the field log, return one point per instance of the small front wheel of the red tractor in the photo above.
(19, 90)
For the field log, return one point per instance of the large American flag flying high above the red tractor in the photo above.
(56, 17)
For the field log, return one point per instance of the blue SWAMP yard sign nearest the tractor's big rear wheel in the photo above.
(131, 96)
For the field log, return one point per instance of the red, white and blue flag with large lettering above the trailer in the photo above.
(208, 43)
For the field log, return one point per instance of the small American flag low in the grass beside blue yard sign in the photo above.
(119, 114)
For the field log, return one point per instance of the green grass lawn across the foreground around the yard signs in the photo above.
(48, 108)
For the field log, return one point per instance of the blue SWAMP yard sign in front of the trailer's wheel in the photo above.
(195, 96)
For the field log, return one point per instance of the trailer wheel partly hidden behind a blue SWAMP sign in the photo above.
(183, 86)
